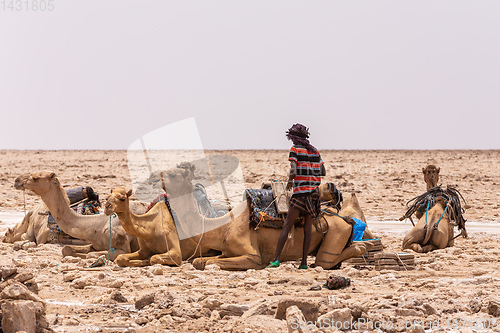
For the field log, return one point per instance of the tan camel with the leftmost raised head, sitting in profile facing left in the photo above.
(94, 229)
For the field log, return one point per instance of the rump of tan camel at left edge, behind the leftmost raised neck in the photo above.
(33, 227)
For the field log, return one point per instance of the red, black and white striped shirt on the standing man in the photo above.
(308, 170)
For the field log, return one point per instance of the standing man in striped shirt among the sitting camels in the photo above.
(306, 168)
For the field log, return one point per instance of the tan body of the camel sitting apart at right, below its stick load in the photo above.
(426, 235)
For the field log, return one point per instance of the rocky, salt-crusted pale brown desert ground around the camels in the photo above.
(450, 290)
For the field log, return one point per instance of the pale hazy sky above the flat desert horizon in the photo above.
(99, 74)
